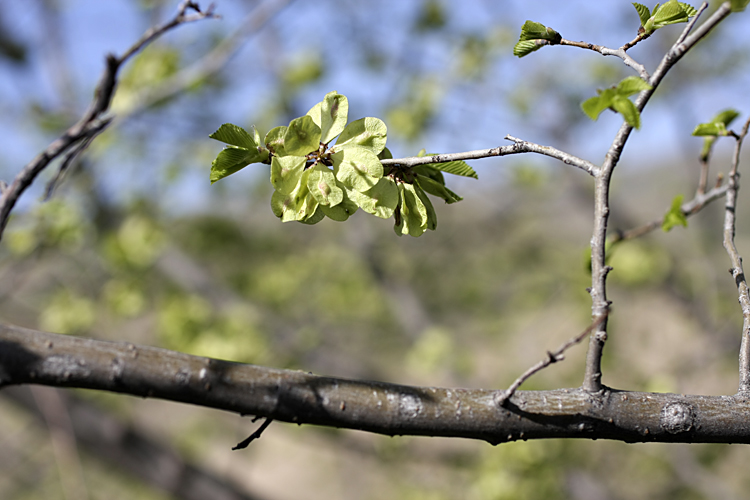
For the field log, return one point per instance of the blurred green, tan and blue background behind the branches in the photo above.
(135, 245)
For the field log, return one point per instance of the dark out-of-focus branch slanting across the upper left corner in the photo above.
(93, 122)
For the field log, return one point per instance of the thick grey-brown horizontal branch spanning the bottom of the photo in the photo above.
(31, 357)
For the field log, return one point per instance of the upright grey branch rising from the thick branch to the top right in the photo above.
(599, 269)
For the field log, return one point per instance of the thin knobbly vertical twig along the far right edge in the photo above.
(730, 220)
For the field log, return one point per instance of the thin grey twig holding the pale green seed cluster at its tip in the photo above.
(519, 146)
